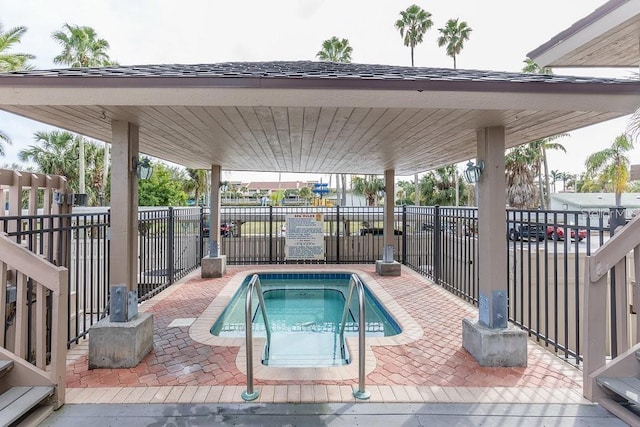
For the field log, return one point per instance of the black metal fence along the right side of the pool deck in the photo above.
(545, 263)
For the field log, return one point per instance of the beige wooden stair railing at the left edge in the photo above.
(40, 294)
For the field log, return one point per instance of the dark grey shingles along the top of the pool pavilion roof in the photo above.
(309, 71)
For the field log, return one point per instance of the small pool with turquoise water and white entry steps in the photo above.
(305, 312)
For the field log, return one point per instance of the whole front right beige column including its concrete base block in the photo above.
(489, 338)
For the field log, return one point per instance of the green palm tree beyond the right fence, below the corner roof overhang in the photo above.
(612, 164)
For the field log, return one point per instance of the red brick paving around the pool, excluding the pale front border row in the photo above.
(436, 359)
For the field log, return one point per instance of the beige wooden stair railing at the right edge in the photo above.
(607, 305)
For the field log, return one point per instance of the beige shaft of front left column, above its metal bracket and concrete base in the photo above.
(124, 206)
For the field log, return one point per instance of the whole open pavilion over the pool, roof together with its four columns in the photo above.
(323, 118)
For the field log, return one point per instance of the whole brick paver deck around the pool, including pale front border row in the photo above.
(428, 367)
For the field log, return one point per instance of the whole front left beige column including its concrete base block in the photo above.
(124, 338)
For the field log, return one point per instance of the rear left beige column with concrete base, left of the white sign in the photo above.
(214, 265)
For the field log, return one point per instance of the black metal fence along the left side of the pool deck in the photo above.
(169, 248)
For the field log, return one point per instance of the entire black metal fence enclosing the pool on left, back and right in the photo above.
(545, 258)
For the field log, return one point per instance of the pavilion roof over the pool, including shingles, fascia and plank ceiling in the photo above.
(319, 117)
